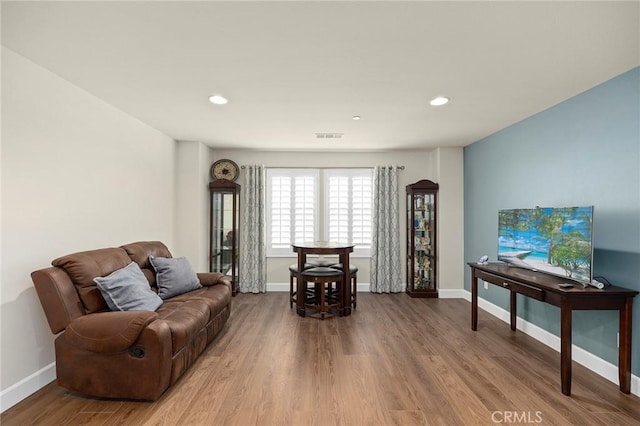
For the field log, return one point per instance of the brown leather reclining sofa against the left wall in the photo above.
(126, 354)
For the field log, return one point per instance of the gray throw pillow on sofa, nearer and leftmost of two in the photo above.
(127, 289)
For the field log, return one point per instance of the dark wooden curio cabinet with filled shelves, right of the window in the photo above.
(421, 239)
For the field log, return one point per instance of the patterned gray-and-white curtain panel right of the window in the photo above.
(385, 246)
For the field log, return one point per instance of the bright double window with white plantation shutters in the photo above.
(294, 197)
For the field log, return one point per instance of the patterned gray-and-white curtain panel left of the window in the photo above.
(253, 260)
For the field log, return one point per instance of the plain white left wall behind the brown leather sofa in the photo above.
(77, 174)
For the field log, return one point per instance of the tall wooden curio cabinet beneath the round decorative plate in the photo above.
(224, 223)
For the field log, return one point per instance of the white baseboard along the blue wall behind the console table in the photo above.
(587, 359)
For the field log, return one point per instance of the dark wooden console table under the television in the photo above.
(545, 287)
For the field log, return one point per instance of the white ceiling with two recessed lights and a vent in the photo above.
(293, 69)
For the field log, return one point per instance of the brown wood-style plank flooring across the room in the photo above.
(394, 361)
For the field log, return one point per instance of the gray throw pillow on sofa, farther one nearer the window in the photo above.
(174, 276)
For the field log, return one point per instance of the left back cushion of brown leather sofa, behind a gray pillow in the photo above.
(84, 266)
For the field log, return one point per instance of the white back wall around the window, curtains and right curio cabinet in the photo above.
(442, 166)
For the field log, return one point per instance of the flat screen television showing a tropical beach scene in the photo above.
(555, 240)
